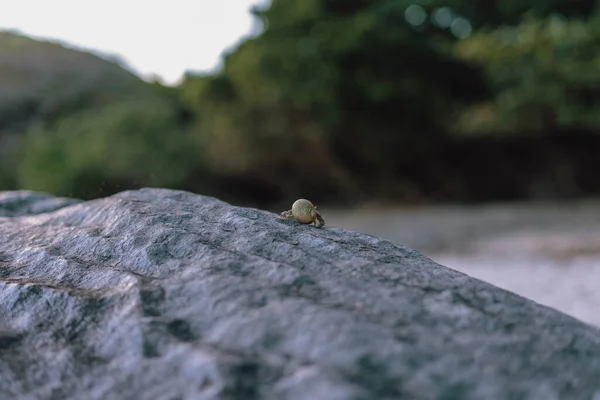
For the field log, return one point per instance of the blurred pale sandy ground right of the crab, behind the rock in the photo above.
(548, 252)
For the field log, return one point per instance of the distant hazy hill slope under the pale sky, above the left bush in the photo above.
(41, 80)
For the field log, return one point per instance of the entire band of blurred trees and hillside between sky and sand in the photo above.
(335, 100)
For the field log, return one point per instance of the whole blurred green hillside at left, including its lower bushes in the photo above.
(75, 124)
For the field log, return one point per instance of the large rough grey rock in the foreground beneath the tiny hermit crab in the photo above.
(158, 294)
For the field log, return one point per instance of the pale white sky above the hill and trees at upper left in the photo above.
(163, 37)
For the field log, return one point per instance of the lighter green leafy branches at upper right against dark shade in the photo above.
(544, 73)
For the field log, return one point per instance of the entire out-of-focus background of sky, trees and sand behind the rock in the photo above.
(469, 130)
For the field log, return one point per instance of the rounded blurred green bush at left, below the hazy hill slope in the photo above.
(100, 151)
